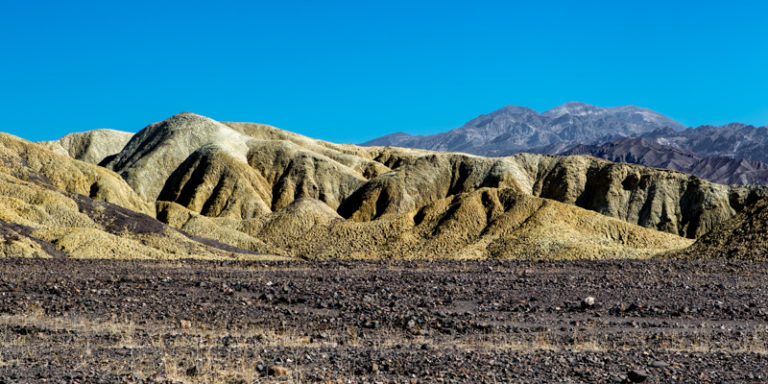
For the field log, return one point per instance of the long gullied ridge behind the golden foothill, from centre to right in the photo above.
(663, 200)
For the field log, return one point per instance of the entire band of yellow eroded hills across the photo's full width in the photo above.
(190, 186)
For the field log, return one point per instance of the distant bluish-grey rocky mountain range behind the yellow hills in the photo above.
(731, 154)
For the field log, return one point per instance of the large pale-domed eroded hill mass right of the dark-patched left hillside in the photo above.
(258, 188)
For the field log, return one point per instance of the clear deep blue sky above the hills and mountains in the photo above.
(349, 71)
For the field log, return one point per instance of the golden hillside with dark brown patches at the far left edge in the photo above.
(53, 206)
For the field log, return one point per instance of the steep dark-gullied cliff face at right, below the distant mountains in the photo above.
(664, 200)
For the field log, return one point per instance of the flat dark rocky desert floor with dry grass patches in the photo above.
(100, 321)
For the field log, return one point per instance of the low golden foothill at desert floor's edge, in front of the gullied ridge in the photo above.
(487, 223)
